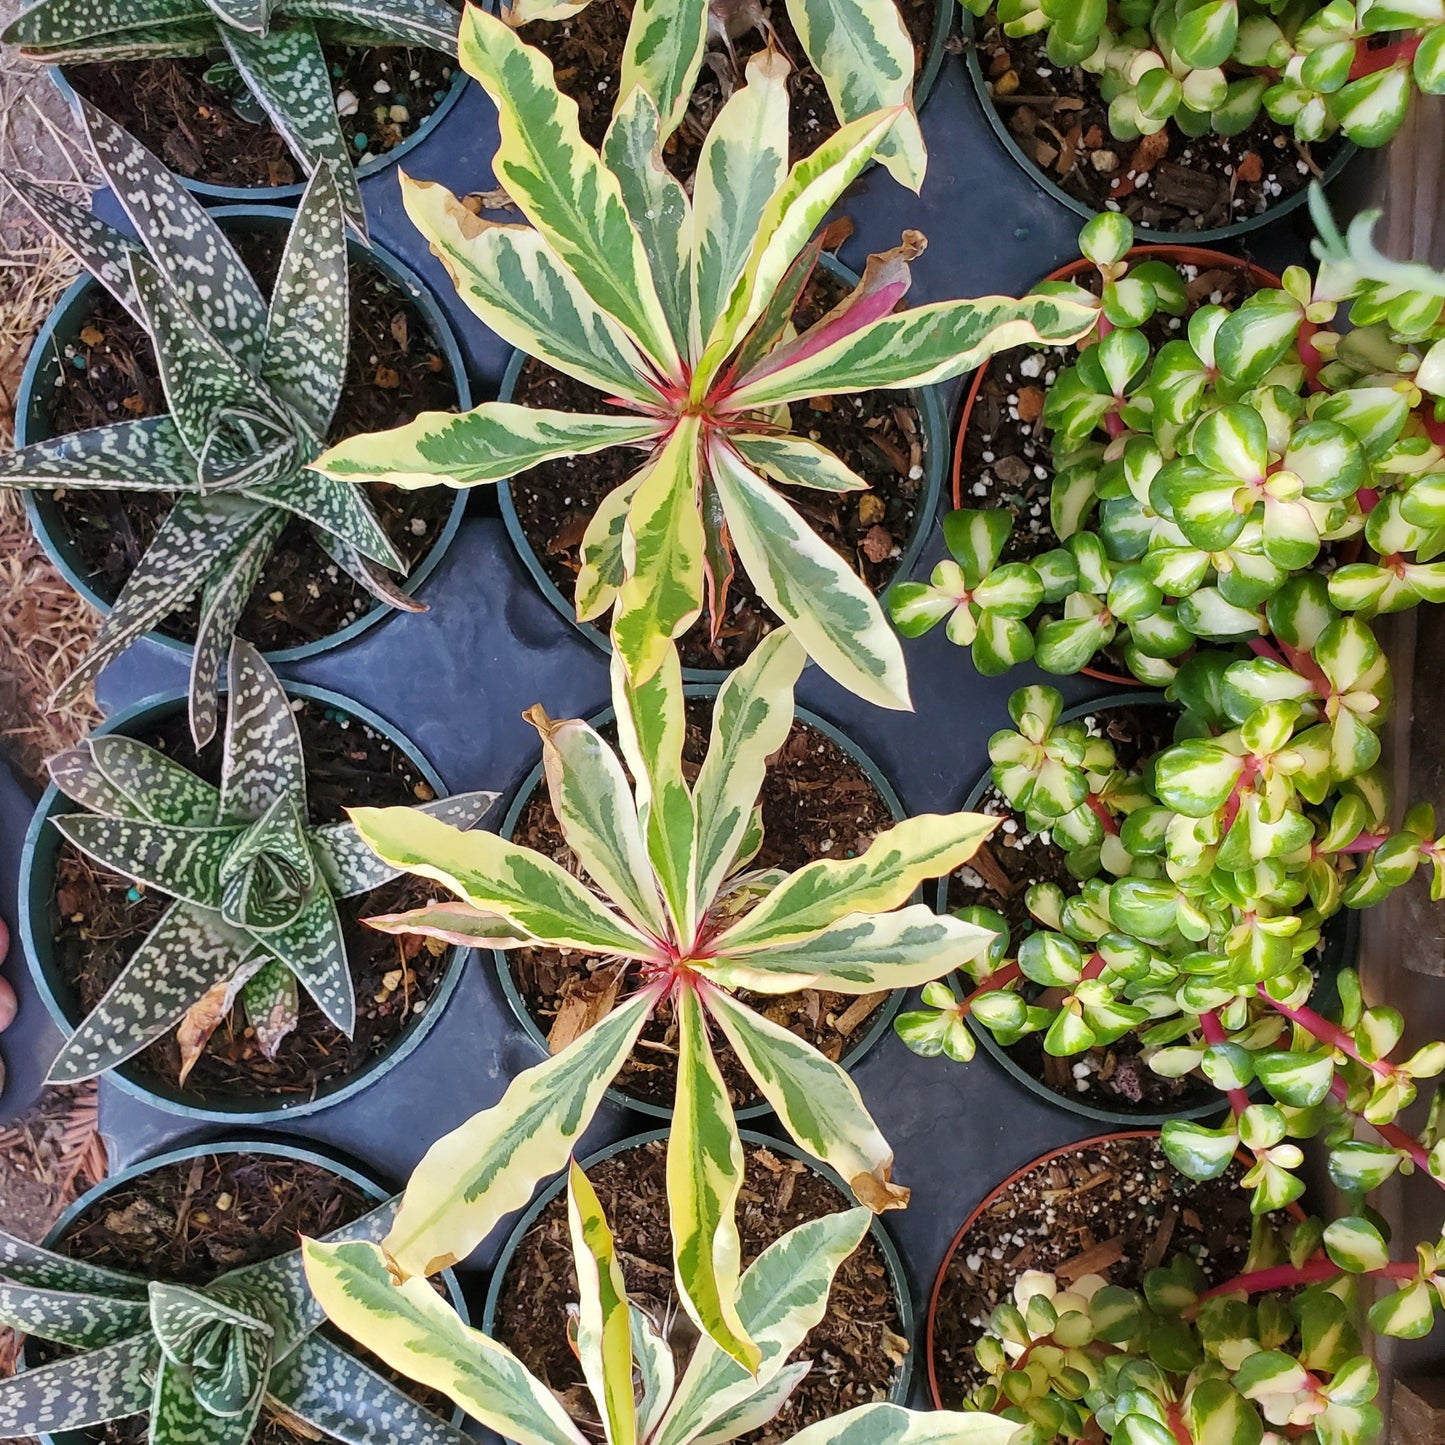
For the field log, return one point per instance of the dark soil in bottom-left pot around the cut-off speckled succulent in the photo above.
(199, 1219)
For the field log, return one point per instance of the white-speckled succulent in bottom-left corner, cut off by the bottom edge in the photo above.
(202, 1362)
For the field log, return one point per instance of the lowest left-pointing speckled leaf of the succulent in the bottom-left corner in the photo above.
(90, 1389)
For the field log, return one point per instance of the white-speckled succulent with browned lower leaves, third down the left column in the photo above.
(255, 884)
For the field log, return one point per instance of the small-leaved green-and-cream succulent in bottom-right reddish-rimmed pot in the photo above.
(1272, 1355)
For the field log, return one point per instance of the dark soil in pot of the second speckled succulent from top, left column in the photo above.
(394, 372)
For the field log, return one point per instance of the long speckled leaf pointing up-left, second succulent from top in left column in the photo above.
(181, 239)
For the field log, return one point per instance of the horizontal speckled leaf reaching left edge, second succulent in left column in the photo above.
(148, 456)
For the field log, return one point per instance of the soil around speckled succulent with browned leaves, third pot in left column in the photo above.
(99, 926)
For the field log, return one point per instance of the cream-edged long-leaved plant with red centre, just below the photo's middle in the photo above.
(674, 898)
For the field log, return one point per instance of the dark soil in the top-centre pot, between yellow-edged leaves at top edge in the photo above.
(587, 53)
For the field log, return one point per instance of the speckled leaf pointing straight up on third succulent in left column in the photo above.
(264, 756)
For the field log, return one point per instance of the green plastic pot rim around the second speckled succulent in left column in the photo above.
(48, 356)
